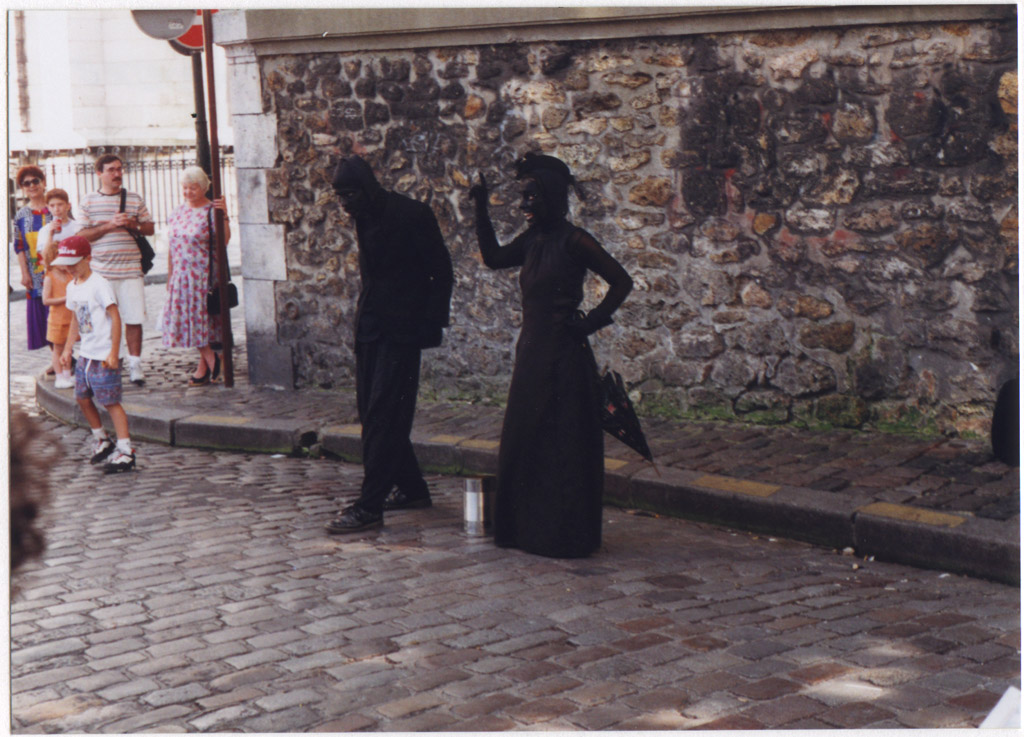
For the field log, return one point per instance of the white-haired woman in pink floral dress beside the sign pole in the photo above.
(191, 266)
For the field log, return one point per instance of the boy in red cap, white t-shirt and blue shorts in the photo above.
(96, 319)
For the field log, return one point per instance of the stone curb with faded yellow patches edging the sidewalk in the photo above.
(897, 534)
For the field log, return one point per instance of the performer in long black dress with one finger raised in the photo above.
(551, 461)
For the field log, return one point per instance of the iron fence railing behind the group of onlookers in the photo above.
(153, 171)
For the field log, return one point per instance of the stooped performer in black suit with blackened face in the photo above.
(406, 289)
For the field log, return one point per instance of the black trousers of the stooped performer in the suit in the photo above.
(388, 378)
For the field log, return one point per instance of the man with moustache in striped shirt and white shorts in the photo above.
(115, 255)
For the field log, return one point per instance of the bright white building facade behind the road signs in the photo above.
(90, 78)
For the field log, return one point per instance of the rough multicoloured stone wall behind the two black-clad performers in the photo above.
(822, 225)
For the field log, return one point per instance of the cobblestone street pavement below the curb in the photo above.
(202, 594)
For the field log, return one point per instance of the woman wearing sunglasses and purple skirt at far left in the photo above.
(28, 223)
